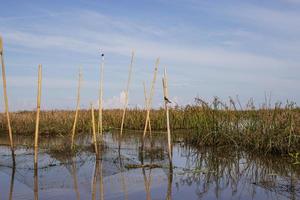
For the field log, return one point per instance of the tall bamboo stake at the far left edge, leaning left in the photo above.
(6, 102)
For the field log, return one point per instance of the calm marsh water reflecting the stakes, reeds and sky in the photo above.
(207, 173)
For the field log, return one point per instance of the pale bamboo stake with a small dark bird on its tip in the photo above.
(100, 103)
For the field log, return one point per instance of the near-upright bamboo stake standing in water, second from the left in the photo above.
(36, 139)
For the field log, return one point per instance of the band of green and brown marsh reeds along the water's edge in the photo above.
(271, 130)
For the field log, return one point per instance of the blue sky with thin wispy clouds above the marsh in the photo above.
(249, 49)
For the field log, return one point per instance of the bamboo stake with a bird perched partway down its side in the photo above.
(166, 101)
